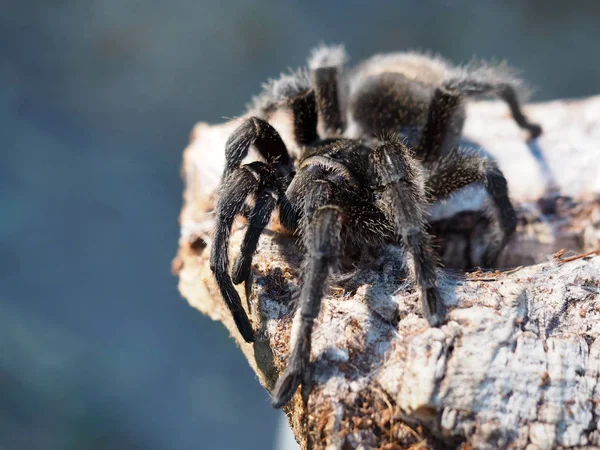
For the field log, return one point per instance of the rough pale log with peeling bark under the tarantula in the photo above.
(517, 364)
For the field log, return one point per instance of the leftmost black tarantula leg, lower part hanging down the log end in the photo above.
(239, 185)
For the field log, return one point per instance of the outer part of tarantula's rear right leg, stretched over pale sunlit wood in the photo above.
(472, 85)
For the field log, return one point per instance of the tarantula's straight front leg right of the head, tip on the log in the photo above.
(401, 198)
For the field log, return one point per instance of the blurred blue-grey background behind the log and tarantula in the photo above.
(97, 98)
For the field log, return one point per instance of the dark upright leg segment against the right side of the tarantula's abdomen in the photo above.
(439, 119)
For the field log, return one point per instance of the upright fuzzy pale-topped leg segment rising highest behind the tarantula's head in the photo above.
(325, 63)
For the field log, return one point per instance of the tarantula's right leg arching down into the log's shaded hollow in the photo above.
(462, 167)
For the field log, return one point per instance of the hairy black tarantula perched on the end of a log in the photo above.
(346, 195)
